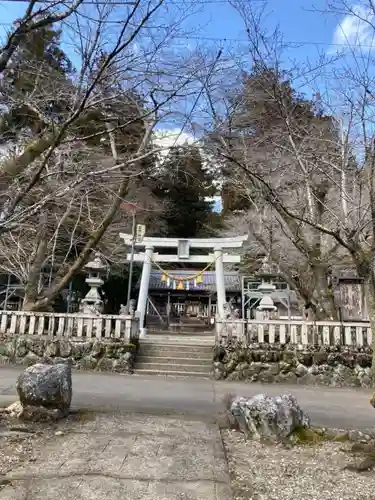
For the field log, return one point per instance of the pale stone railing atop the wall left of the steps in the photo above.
(74, 325)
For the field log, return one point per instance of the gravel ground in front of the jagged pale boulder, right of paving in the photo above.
(305, 472)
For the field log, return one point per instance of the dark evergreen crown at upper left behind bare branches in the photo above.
(35, 86)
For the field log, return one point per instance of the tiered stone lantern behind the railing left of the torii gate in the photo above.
(92, 303)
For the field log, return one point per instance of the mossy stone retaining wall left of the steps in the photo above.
(84, 354)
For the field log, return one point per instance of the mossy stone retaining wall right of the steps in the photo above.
(338, 366)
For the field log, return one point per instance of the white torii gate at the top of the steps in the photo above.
(183, 247)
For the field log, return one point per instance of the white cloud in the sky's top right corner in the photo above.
(354, 30)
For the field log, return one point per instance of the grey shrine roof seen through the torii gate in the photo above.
(232, 280)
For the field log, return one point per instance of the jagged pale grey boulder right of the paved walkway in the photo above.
(269, 417)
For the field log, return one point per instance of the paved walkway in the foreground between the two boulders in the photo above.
(126, 458)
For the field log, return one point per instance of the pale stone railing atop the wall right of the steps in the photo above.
(296, 332)
